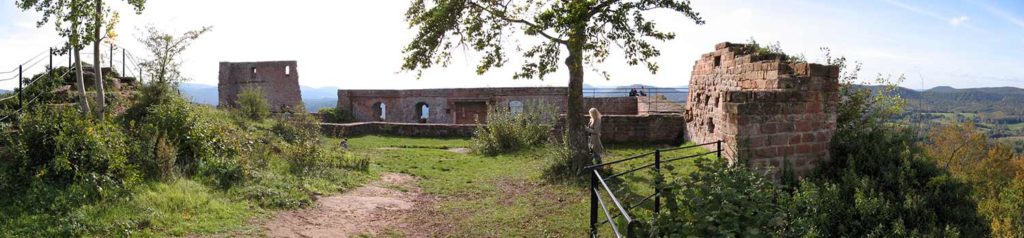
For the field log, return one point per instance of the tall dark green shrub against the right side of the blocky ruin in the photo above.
(878, 182)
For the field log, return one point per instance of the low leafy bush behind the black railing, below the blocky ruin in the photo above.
(721, 202)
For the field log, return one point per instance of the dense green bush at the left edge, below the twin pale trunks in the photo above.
(58, 148)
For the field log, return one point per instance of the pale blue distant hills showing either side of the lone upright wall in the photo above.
(314, 98)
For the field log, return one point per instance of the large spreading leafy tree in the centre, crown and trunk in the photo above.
(583, 29)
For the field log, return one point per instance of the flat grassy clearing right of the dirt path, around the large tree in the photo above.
(503, 196)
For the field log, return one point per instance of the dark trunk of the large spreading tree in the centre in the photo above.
(579, 151)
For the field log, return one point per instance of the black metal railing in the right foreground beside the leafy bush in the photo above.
(600, 185)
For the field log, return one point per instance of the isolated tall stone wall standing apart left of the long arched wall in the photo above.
(280, 82)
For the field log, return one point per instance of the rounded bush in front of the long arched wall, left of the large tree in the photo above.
(506, 132)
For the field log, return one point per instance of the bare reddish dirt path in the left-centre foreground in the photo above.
(370, 210)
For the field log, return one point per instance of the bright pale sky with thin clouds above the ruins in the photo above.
(358, 45)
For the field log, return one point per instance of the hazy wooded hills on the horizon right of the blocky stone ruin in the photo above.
(983, 100)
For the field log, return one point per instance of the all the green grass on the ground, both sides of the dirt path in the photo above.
(474, 195)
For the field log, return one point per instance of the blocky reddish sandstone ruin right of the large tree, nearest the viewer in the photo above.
(766, 109)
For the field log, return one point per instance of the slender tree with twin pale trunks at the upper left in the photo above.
(79, 21)
